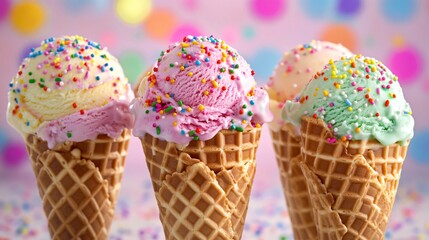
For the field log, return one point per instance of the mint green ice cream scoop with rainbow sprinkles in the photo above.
(359, 98)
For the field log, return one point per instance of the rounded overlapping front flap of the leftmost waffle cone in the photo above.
(74, 196)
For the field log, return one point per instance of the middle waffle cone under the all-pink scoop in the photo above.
(203, 190)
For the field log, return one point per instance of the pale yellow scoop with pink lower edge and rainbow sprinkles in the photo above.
(70, 89)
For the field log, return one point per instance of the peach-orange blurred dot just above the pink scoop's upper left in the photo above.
(160, 23)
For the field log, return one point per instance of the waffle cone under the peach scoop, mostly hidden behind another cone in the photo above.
(287, 147)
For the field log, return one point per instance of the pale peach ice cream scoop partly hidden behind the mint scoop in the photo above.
(295, 69)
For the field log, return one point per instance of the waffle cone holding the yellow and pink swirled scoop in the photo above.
(79, 184)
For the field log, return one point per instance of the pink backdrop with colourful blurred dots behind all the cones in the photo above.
(136, 31)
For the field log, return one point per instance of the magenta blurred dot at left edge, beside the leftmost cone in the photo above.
(14, 153)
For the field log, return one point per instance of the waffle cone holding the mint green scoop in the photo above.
(352, 184)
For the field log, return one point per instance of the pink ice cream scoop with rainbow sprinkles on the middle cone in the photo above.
(196, 88)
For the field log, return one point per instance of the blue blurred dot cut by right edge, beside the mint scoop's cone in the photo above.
(419, 146)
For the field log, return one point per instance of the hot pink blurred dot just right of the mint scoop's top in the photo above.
(406, 63)
